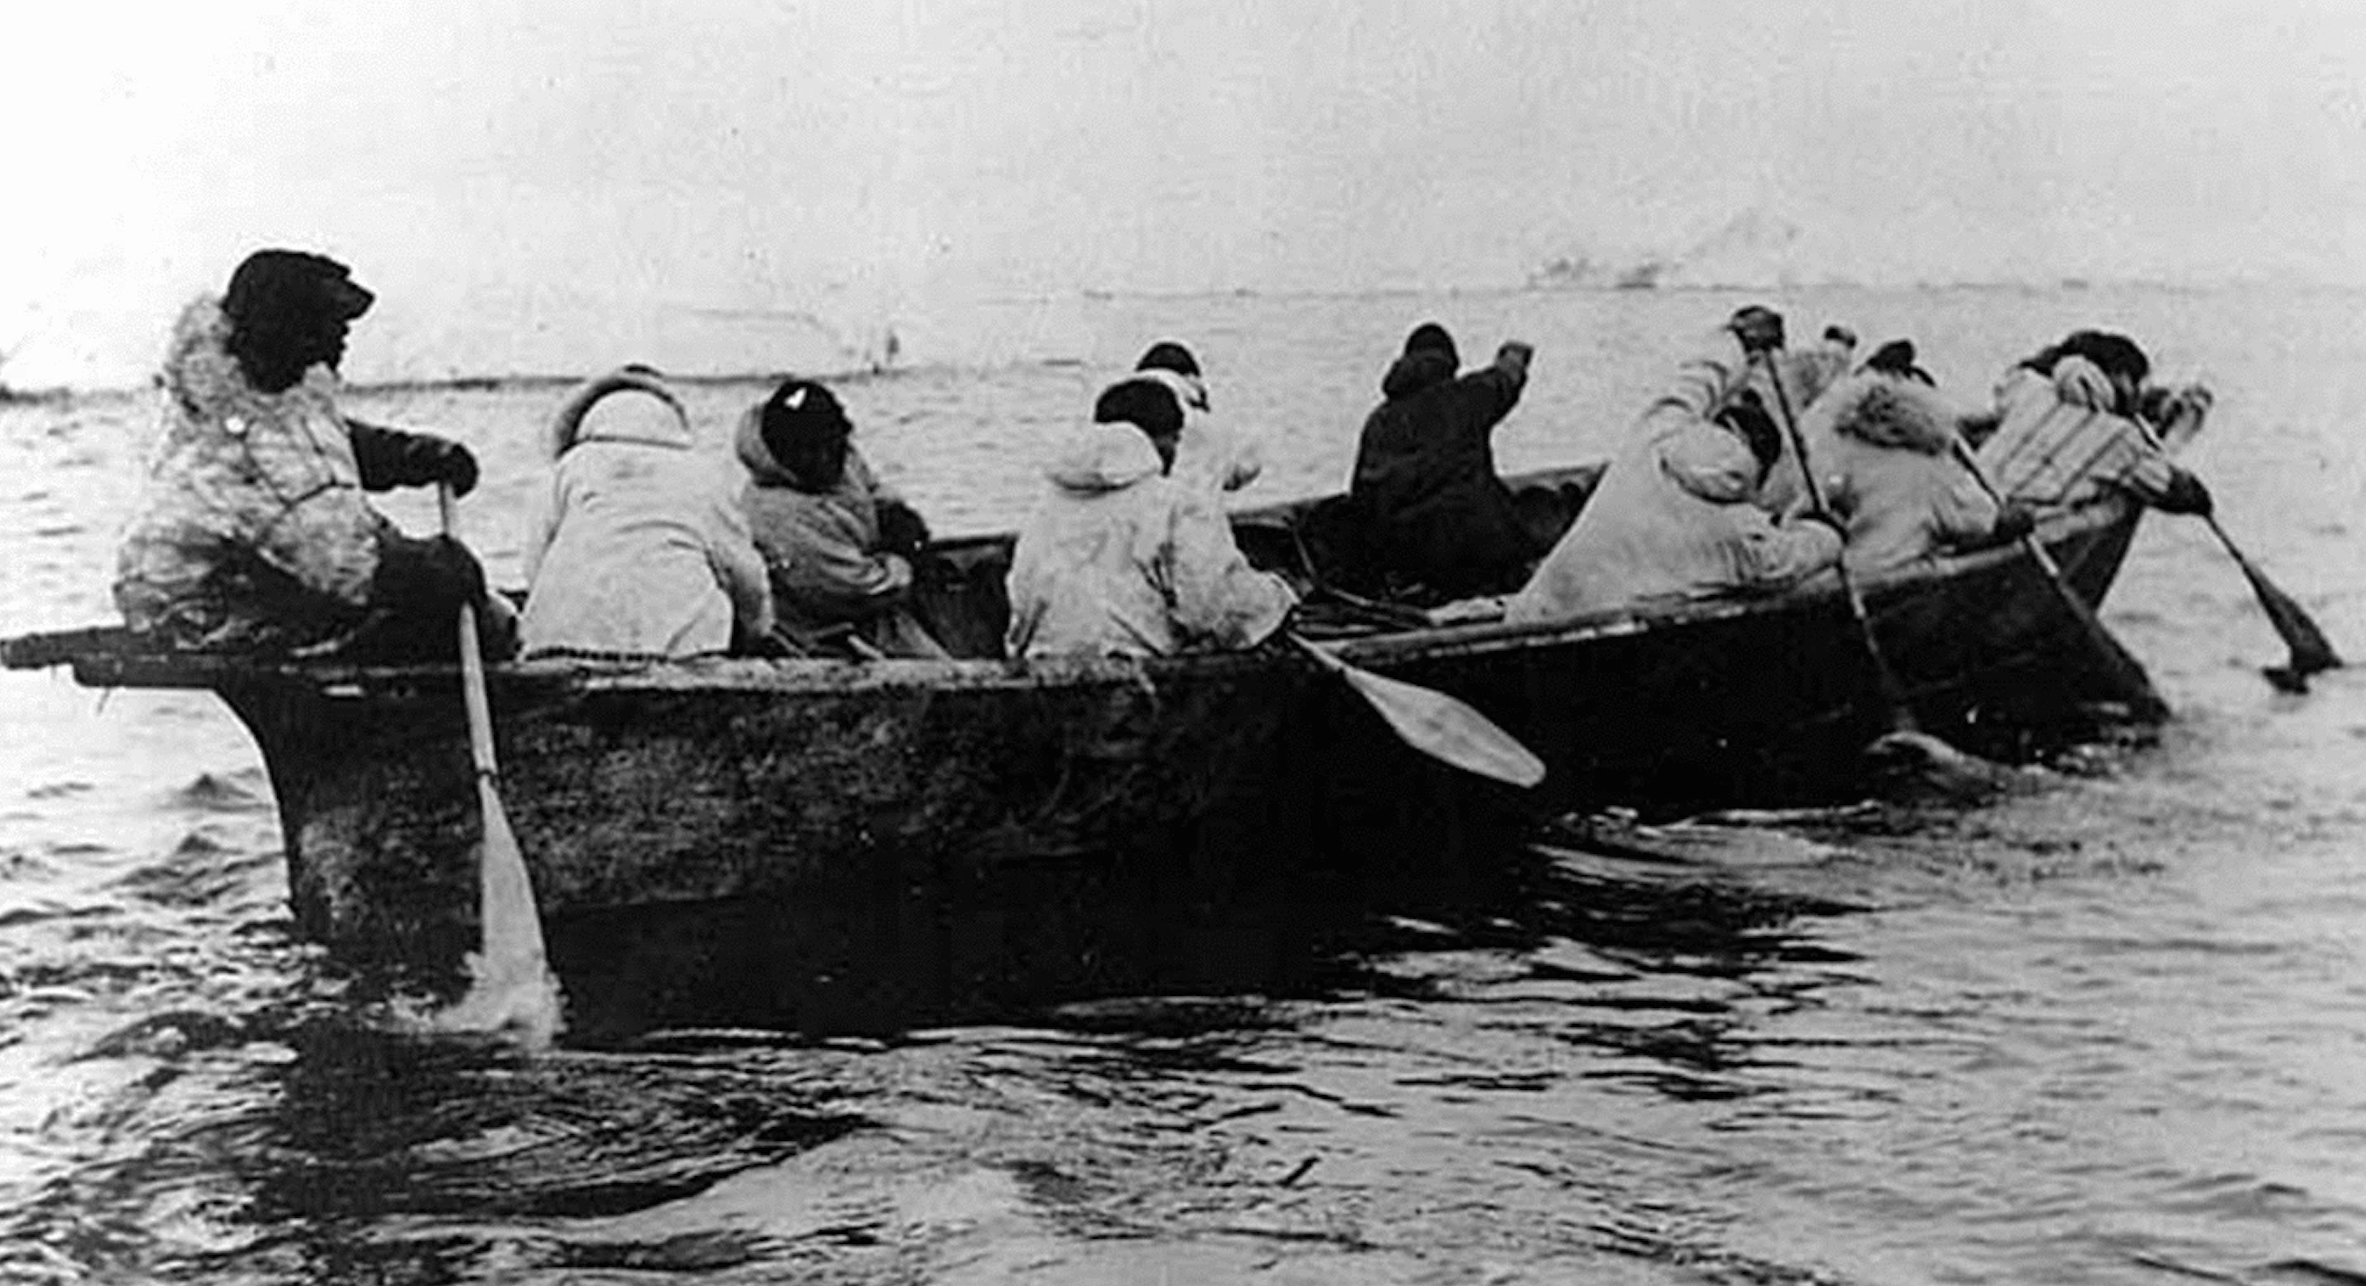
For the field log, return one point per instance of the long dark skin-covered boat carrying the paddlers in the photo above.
(794, 781)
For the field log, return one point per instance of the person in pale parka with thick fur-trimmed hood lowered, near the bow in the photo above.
(1887, 446)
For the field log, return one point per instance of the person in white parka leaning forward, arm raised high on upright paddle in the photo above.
(1679, 514)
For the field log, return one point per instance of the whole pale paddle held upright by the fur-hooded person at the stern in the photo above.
(512, 985)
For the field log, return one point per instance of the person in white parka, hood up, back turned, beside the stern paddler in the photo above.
(640, 547)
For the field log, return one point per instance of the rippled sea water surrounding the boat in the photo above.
(2107, 1030)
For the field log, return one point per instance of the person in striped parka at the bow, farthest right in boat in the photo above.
(2079, 422)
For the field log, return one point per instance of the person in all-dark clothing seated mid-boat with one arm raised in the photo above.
(1426, 469)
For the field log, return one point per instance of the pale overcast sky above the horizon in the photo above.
(543, 164)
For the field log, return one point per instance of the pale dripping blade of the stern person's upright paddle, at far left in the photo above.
(510, 982)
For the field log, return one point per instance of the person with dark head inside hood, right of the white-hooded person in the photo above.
(839, 545)
